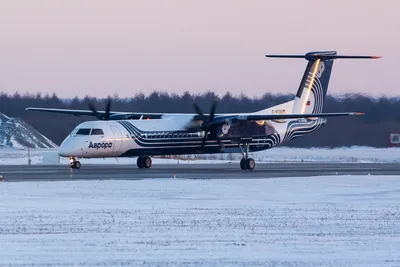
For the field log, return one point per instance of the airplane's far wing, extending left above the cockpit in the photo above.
(114, 115)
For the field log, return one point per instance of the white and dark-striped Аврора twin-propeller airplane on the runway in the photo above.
(142, 135)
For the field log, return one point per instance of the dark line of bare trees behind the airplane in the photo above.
(382, 113)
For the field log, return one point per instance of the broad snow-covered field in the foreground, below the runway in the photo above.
(315, 221)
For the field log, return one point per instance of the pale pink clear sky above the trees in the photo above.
(76, 47)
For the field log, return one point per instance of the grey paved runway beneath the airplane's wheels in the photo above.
(19, 173)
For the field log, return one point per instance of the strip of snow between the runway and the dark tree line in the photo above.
(278, 154)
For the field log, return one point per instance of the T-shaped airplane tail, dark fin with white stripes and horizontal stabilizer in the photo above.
(311, 94)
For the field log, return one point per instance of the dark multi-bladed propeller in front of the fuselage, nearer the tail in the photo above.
(207, 126)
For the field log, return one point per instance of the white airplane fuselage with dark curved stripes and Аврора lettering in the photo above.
(166, 136)
